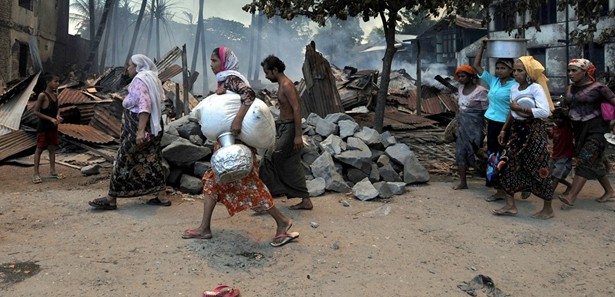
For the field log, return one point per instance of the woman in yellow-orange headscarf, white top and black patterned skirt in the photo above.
(524, 165)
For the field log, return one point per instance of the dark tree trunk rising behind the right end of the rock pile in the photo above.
(387, 61)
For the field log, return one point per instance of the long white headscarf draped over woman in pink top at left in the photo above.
(148, 73)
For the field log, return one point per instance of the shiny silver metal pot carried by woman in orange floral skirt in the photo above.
(232, 161)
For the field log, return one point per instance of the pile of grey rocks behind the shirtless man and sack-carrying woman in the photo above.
(339, 156)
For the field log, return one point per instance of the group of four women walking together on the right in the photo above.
(515, 108)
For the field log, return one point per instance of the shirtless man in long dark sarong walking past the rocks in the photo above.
(281, 167)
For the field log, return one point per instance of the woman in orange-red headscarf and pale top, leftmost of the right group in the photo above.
(472, 105)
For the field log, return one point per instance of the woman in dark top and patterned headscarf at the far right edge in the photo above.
(583, 98)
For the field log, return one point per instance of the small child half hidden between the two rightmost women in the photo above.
(563, 150)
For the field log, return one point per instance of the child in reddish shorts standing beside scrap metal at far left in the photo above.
(46, 109)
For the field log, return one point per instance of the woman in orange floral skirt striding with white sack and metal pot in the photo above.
(249, 192)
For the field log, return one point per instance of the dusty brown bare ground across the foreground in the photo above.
(432, 240)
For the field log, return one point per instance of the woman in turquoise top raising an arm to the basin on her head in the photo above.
(499, 101)
